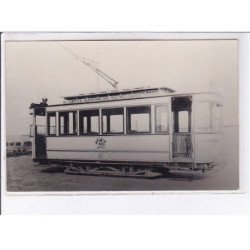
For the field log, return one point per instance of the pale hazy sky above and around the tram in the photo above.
(38, 69)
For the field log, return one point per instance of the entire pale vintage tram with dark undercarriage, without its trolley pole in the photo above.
(141, 132)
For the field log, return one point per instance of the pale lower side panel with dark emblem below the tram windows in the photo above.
(125, 148)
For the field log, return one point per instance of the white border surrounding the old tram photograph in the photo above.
(135, 201)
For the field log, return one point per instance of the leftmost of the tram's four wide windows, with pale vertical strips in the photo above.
(68, 123)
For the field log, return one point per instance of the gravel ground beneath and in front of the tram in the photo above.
(23, 175)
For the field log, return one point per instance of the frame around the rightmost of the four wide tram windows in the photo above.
(128, 120)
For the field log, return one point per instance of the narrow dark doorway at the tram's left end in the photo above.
(39, 124)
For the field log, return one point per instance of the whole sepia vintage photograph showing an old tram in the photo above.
(121, 115)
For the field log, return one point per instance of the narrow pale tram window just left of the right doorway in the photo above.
(161, 122)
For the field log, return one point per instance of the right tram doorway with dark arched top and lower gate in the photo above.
(182, 147)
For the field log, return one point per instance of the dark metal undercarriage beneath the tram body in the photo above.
(124, 169)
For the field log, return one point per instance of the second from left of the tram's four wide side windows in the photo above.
(89, 122)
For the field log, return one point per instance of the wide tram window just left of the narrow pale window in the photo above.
(138, 119)
